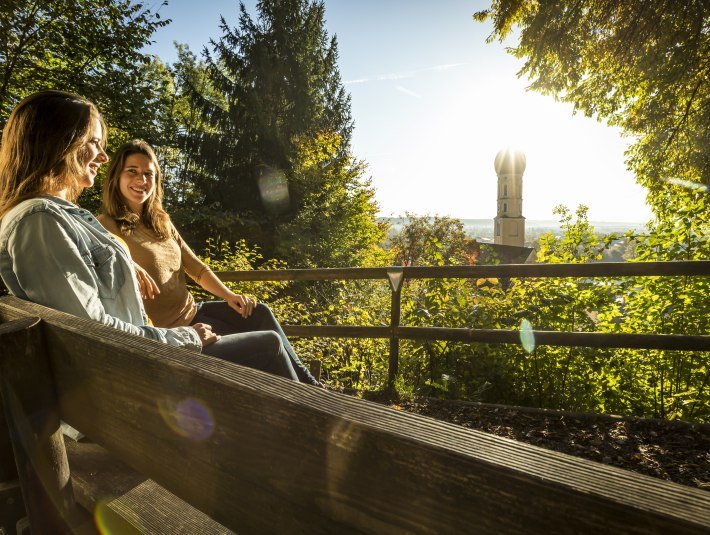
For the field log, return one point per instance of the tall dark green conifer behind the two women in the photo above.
(280, 84)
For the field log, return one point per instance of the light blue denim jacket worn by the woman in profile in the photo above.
(57, 254)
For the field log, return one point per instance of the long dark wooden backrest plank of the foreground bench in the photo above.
(263, 454)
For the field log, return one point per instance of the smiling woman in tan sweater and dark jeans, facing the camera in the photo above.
(133, 211)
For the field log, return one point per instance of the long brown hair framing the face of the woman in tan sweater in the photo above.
(154, 216)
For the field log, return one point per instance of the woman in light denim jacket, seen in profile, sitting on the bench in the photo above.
(56, 254)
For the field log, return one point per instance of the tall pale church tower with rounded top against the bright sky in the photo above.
(509, 224)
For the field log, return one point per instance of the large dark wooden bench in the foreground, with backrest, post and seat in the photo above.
(185, 443)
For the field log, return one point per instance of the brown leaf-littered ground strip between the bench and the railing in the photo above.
(675, 451)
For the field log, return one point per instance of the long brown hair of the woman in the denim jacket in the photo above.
(43, 146)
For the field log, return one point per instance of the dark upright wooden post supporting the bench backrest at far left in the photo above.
(32, 417)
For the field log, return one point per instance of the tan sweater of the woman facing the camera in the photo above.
(167, 262)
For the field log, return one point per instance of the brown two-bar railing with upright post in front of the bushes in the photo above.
(397, 276)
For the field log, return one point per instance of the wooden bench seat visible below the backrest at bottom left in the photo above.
(124, 501)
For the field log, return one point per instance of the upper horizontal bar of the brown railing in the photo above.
(597, 269)
